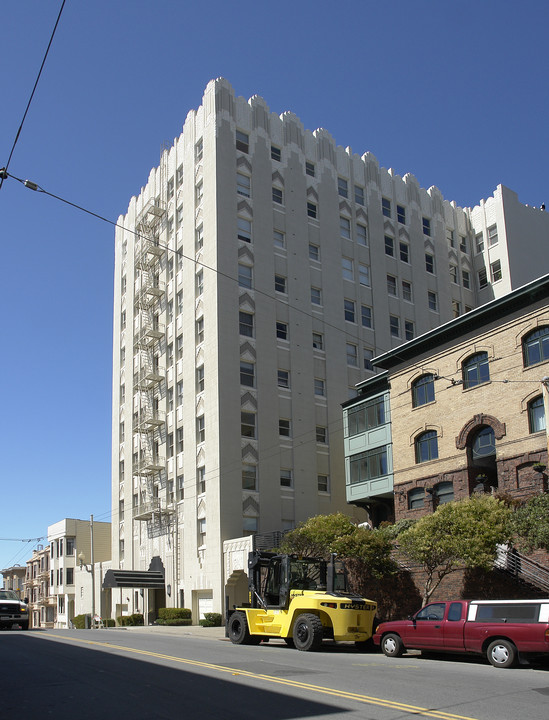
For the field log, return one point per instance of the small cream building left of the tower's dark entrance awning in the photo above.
(71, 556)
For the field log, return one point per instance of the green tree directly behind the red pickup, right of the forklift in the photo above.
(458, 534)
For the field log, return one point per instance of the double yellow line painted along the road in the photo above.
(367, 699)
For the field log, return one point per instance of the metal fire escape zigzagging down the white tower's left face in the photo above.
(149, 373)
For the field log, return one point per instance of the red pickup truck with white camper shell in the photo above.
(499, 629)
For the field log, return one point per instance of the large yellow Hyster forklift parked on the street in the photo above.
(301, 600)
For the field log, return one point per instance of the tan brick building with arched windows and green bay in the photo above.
(457, 410)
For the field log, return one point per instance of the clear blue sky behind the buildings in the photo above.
(453, 92)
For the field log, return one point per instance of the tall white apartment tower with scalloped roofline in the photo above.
(257, 273)
